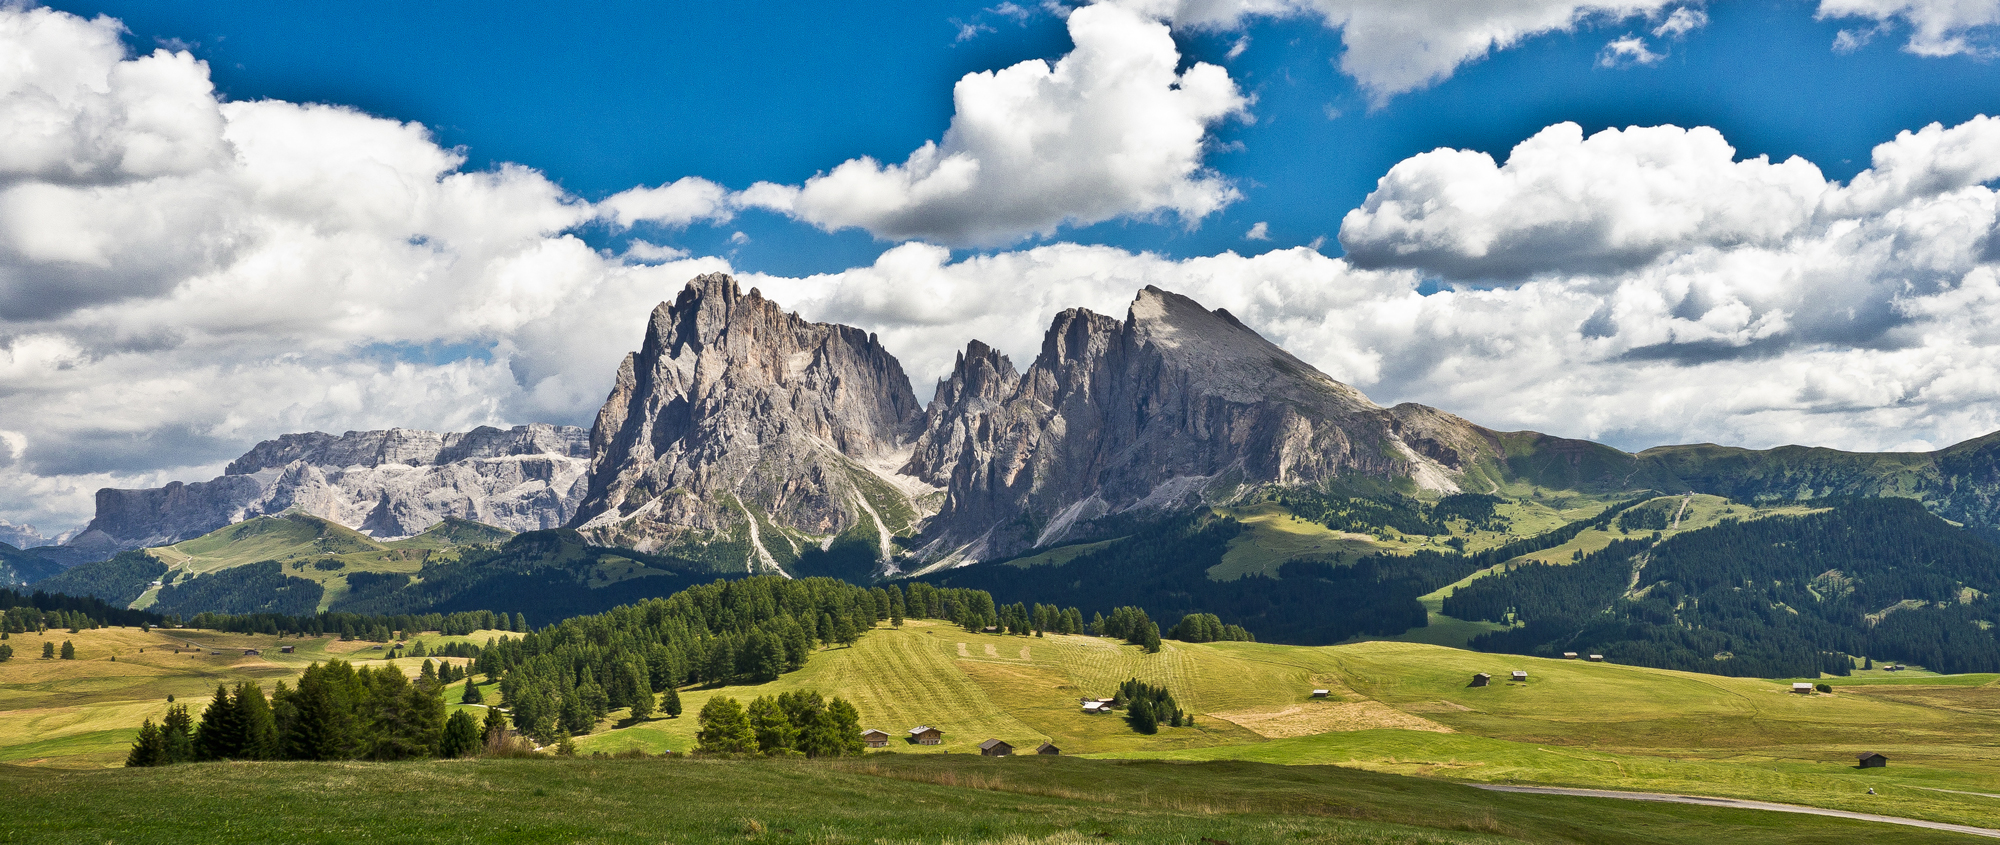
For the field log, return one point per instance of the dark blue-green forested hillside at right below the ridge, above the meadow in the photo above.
(1769, 598)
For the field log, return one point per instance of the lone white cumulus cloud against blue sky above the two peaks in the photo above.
(1113, 129)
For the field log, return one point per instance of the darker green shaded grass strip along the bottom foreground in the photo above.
(883, 798)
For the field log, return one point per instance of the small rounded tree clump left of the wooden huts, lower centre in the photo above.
(787, 724)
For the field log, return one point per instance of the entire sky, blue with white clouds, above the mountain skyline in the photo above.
(227, 221)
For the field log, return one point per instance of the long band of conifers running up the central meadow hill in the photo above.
(569, 676)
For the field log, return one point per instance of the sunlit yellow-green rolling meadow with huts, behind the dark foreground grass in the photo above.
(1395, 708)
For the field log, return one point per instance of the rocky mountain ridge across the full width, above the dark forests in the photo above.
(753, 440)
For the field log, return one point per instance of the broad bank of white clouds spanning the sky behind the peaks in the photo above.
(181, 275)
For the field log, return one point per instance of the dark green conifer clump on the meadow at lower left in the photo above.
(337, 712)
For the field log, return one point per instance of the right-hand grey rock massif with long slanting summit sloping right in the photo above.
(1171, 407)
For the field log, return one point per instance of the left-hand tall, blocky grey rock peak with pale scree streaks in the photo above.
(747, 436)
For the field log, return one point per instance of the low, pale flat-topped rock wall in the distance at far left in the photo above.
(383, 484)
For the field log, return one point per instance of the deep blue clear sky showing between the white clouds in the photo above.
(615, 95)
